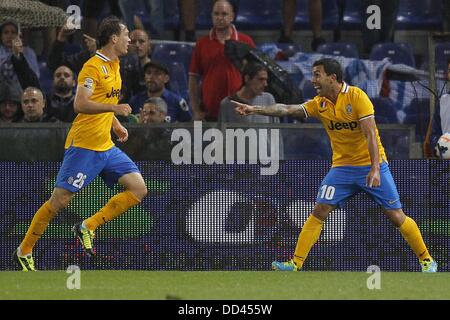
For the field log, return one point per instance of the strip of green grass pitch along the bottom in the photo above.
(217, 285)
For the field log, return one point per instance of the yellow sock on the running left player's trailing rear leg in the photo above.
(38, 225)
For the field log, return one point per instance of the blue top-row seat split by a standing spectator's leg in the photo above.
(329, 14)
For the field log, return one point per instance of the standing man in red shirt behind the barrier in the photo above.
(220, 78)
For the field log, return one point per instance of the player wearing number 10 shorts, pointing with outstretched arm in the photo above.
(359, 161)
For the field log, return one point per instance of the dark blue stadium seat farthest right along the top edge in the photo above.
(419, 14)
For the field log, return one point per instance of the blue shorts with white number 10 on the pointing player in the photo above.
(341, 183)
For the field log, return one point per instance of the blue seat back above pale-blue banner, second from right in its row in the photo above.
(397, 52)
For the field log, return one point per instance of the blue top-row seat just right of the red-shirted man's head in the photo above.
(262, 14)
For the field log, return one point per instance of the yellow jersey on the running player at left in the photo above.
(93, 131)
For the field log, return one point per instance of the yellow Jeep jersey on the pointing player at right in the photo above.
(341, 121)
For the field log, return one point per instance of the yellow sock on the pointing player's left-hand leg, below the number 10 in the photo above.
(308, 237)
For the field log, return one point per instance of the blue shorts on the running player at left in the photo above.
(81, 166)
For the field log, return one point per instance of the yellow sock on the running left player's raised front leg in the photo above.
(116, 206)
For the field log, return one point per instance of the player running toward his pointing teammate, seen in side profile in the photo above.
(90, 151)
